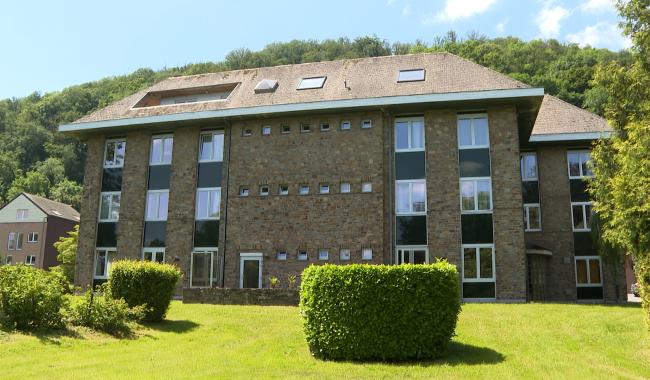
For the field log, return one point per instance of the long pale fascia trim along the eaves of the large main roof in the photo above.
(309, 106)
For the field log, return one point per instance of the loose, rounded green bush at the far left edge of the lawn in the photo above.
(30, 298)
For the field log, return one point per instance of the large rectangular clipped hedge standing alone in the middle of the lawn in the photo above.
(379, 312)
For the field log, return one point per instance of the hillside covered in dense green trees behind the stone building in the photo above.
(35, 158)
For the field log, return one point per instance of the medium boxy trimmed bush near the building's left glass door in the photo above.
(144, 283)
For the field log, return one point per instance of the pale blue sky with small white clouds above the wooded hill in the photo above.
(49, 45)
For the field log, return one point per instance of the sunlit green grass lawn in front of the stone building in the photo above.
(204, 341)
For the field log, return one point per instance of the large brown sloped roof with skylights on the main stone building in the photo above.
(346, 79)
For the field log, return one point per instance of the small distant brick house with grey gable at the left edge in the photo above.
(29, 226)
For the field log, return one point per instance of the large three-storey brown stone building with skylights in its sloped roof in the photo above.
(243, 175)
